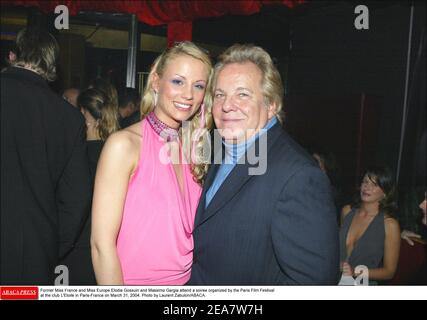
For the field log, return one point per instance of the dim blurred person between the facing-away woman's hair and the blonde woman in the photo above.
(129, 101)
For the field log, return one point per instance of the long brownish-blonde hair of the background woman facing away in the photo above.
(100, 107)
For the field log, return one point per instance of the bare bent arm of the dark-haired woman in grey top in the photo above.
(391, 252)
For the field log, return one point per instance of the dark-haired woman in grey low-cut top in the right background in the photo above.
(369, 234)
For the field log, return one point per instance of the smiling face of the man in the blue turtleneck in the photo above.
(239, 108)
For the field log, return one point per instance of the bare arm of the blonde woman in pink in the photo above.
(116, 164)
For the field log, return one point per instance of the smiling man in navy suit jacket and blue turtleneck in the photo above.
(266, 222)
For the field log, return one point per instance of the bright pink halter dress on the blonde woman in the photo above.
(155, 242)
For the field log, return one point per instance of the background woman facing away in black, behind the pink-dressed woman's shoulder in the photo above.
(101, 121)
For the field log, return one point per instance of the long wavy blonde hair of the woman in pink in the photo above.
(199, 123)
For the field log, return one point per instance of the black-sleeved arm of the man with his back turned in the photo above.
(73, 194)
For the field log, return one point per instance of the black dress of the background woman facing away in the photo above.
(79, 261)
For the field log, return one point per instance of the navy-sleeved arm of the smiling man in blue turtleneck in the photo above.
(305, 231)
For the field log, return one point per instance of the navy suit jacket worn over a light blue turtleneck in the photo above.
(271, 229)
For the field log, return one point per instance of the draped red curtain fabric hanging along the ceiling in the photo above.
(177, 14)
